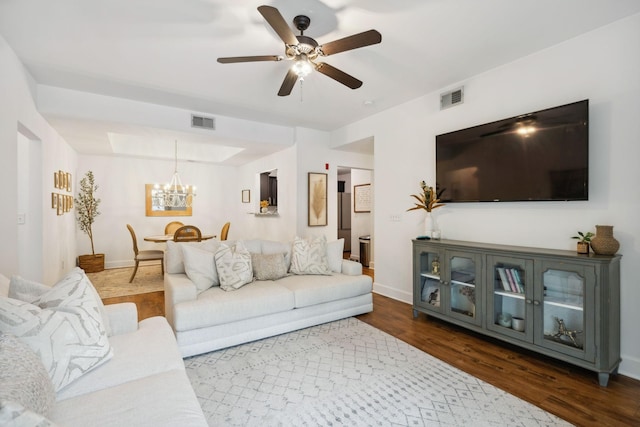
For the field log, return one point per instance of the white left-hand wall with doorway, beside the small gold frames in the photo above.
(20, 120)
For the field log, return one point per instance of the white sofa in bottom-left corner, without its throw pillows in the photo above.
(143, 384)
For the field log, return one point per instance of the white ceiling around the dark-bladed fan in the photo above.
(164, 52)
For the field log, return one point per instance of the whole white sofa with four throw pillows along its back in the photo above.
(284, 286)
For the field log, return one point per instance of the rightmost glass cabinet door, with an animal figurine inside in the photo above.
(565, 295)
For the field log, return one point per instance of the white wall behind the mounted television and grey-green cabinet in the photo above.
(603, 66)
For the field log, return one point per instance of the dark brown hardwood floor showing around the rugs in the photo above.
(562, 389)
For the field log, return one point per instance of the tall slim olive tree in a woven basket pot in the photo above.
(86, 206)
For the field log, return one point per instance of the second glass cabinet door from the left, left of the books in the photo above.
(463, 296)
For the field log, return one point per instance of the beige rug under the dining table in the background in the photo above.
(114, 282)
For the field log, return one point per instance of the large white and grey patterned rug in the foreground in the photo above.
(347, 373)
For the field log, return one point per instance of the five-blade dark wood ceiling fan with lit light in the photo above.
(304, 51)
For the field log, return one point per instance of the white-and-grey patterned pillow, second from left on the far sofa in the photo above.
(234, 266)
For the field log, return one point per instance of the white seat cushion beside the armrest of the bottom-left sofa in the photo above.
(149, 350)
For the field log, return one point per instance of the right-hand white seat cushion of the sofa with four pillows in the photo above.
(312, 290)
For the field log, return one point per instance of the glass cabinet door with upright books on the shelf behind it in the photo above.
(510, 299)
